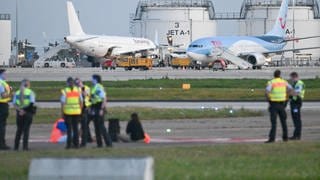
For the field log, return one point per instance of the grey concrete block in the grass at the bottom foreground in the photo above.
(92, 168)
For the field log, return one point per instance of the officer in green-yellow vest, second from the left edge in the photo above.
(23, 101)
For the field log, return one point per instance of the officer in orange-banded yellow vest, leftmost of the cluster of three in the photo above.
(71, 106)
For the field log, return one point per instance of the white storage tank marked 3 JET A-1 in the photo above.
(183, 21)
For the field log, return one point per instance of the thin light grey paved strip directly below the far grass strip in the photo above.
(190, 105)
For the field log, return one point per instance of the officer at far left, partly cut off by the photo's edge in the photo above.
(5, 94)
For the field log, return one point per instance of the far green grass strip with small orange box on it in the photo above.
(166, 89)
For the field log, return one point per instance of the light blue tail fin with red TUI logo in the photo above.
(279, 29)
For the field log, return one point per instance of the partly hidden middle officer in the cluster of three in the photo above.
(85, 92)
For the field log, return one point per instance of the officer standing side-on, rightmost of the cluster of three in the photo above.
(98, 100)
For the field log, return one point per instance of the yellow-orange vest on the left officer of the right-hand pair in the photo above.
(279, 90)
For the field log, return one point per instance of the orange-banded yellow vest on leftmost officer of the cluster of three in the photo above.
(72, 104)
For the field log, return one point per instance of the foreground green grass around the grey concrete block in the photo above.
(293, 160)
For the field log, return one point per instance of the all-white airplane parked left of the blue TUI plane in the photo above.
(102, 46)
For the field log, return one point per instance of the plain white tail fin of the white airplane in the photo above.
(74, 23)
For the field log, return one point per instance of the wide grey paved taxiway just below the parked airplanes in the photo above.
(60, 74)
